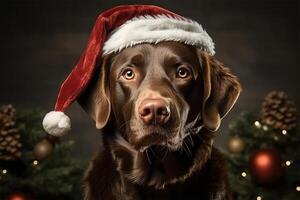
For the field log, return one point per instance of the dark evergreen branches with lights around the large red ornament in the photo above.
(248, 127)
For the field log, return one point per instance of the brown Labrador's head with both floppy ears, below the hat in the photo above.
(156, 94)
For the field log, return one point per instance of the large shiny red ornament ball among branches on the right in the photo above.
(265, 166)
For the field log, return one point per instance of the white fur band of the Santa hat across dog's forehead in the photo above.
(155, 29)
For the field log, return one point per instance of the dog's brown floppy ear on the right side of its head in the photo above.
(220, 91)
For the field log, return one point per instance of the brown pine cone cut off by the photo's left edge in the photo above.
(10, 145)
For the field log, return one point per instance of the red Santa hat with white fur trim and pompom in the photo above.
(114, 30)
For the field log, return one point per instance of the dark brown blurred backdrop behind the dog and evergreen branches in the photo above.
(42, 40)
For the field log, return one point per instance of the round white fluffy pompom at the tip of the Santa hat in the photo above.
(56, 123)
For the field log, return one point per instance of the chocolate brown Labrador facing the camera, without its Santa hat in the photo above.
(159, 107)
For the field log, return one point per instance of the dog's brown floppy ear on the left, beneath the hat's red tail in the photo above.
(95, 100)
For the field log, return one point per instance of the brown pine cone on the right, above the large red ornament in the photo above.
(278, 112)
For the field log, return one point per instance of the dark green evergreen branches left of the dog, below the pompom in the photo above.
(56, 177)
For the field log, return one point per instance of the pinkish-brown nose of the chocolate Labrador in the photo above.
(155, 111)
